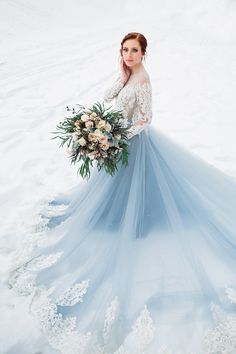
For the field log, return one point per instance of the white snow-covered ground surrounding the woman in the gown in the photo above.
(58, 53)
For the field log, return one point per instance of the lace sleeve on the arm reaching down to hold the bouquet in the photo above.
(143, 112)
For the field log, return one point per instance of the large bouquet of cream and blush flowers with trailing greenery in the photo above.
(96, 134)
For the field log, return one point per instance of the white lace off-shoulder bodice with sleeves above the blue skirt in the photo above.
(134, 99)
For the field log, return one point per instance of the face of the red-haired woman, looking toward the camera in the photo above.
(131, 52)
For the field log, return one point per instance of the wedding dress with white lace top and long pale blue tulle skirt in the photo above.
(140, 262)
